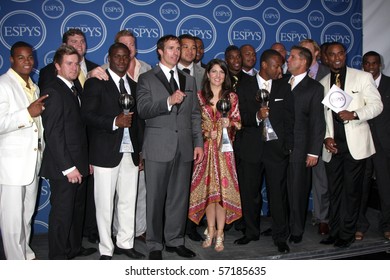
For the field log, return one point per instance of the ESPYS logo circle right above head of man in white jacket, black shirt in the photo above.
(338, 32)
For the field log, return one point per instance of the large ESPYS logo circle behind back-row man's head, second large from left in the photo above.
(91, 25)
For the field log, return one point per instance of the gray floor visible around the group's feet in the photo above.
(309, 248)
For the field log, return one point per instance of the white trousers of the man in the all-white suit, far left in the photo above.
(17, 206)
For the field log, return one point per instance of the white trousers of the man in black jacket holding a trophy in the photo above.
(122, 182)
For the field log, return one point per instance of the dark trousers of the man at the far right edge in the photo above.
(382, 171)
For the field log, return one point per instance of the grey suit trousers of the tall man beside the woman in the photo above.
(167, 188)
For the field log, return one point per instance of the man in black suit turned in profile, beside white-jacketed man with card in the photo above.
(309, 131)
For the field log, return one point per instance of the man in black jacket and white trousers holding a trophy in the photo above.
(115, 162)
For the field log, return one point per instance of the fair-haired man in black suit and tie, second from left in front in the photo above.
(65, 158)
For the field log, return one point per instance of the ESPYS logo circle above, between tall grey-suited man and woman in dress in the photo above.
(199, 26)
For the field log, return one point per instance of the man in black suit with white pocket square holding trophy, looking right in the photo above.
(257, 154)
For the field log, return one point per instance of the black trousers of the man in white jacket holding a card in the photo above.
(345, 181)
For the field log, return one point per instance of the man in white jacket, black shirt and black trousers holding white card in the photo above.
(347, 145)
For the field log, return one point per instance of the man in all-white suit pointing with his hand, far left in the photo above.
(21, 145)
